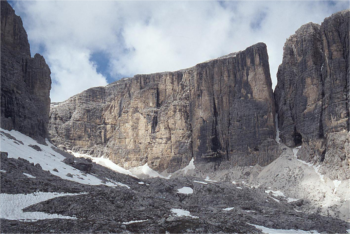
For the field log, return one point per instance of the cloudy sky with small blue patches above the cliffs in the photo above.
(91, 43)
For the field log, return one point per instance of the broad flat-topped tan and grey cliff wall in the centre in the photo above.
(222, 109)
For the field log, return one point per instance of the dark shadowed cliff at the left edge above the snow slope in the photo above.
(25, 81)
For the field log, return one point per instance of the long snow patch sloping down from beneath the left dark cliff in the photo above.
(47, 157)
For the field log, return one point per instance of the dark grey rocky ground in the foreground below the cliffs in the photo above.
(154, 205)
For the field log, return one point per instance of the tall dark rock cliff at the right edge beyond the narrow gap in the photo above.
(313, 93)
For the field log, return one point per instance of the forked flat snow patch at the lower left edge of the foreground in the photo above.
(12, 205)
